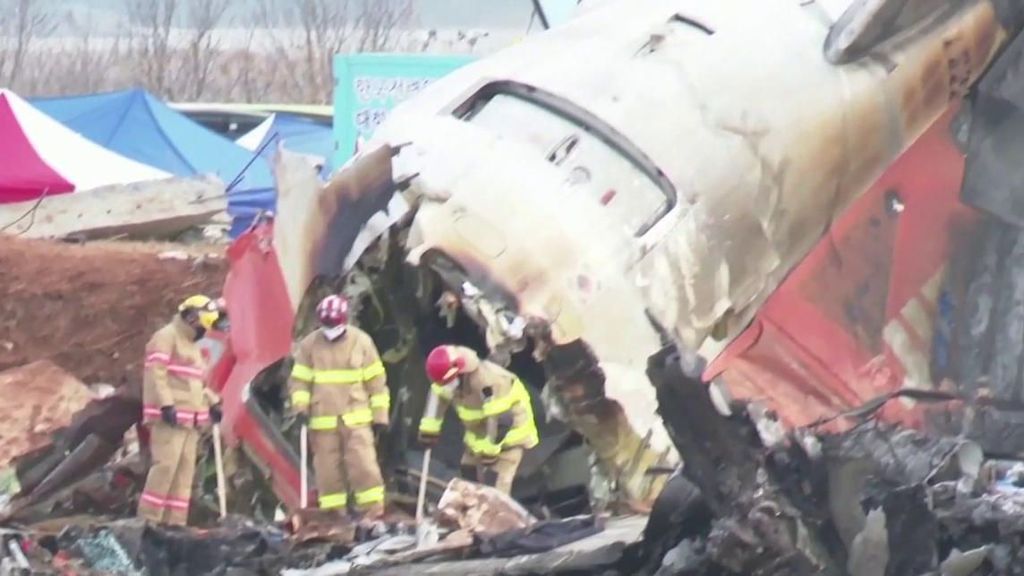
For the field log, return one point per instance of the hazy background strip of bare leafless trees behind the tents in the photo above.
(185, 49)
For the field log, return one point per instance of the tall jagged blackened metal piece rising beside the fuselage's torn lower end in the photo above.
(764, 504)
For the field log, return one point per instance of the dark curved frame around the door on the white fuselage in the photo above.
(586, 121)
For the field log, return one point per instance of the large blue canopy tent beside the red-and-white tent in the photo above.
(138, 126)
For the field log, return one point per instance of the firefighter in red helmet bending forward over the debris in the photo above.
(494, 407)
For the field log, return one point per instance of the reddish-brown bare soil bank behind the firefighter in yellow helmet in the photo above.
(91, 309)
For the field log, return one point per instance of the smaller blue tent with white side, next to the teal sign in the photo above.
(295, 134)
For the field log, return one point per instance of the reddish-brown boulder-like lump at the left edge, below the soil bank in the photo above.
(39, 400)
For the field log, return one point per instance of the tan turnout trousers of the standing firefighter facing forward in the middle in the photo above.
(346, 462)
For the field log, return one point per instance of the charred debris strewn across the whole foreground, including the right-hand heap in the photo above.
(877, 500)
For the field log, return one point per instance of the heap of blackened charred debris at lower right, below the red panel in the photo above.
(875, 500)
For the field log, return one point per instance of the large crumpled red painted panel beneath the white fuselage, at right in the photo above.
(857, 318)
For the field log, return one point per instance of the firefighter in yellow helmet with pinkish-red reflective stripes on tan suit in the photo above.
(177, 405)
